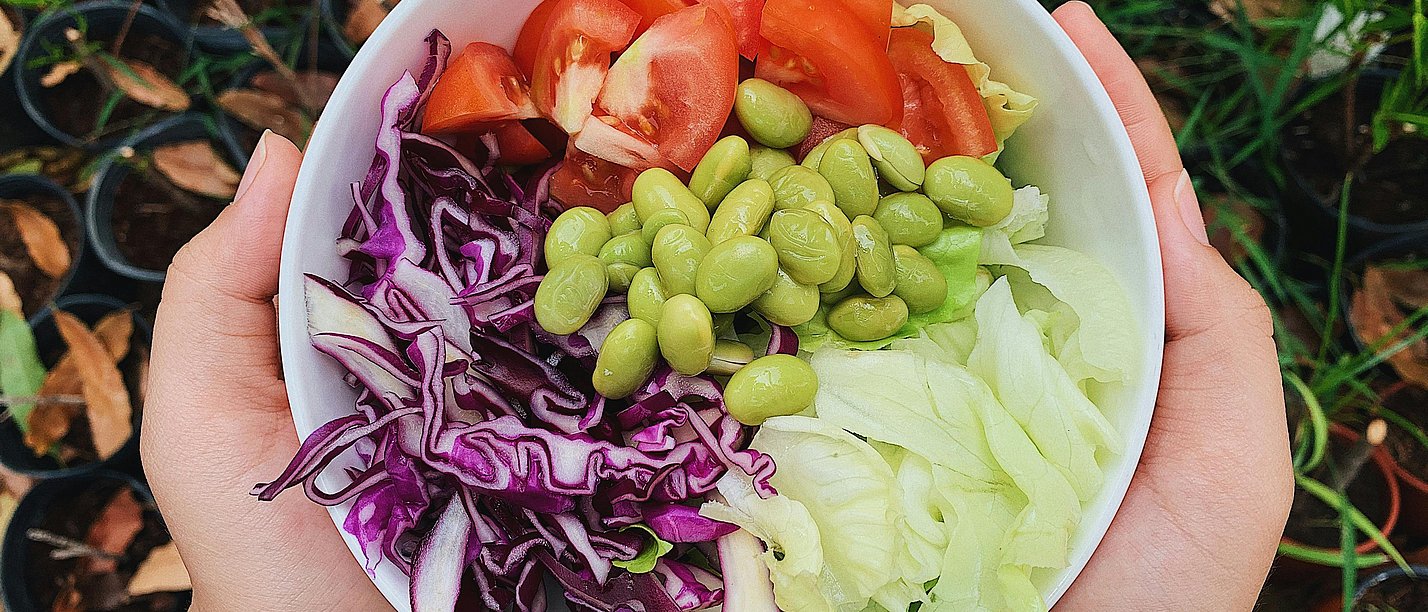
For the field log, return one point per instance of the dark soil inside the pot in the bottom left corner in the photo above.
(72, 519)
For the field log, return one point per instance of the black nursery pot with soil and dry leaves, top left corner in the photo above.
(104, 21)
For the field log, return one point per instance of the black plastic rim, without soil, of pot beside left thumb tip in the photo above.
(99, 208)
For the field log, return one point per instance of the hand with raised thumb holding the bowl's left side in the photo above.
(216, 417)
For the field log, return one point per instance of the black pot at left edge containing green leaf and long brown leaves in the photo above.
(89, 309)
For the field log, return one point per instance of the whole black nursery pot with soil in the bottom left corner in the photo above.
(68, 507)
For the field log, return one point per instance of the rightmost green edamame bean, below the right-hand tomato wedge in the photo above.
(970, 190)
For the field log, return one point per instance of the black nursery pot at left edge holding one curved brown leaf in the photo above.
(36, 289)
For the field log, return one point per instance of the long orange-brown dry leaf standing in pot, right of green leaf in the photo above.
(106, 399)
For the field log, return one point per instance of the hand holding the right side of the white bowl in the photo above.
(1203, 517)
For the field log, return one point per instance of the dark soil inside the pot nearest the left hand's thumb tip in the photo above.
(154, 219)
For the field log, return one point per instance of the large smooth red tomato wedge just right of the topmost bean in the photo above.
(823, 53)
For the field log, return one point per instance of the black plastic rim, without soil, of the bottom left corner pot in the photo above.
(38, 507)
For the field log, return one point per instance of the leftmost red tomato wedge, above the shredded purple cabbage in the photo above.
(481, 85)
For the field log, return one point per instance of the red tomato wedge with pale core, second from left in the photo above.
(573, 56)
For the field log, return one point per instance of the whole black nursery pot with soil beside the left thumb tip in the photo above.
(111, 203)
